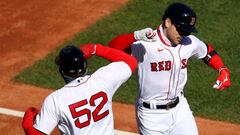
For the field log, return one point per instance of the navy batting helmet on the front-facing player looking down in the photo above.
(182, 16)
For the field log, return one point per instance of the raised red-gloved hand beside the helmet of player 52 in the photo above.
(88, 50)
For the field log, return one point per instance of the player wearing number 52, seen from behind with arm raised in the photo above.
(84, 105)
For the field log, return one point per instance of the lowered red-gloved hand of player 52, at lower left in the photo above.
(29, 117)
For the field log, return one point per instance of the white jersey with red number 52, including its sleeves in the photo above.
(84, 106)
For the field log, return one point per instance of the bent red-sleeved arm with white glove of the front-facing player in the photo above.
(123, 42)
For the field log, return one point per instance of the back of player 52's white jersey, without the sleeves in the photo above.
(85, 107)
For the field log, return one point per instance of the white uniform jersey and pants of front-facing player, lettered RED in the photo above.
(162, 75)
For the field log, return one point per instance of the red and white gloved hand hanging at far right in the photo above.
(223, 80)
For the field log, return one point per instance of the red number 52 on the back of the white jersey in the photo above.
(95, 114)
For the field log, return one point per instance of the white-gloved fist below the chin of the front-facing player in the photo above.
(146, 34)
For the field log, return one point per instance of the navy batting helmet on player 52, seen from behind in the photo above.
(71, 62)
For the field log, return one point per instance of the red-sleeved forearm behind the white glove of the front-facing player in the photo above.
(122, 42)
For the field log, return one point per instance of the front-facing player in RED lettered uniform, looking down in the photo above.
(163, 57)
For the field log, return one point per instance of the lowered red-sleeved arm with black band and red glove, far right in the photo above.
(213, 60)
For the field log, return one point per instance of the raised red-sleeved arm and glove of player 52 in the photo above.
(109, 53)
